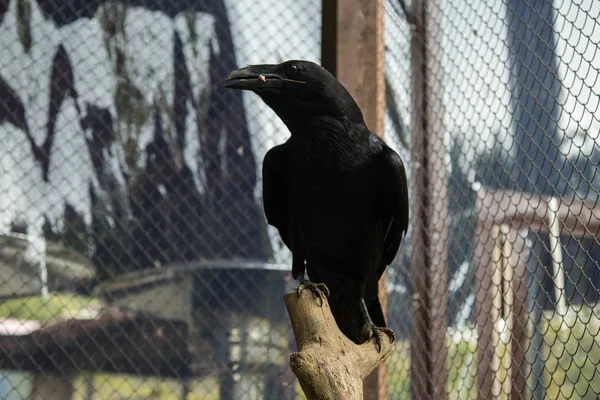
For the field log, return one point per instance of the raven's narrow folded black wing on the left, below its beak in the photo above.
(275, 190)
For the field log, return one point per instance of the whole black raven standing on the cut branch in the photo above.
(335, 191)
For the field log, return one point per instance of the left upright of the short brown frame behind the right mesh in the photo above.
(500, 259)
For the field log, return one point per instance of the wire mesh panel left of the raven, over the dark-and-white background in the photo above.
(136, 261)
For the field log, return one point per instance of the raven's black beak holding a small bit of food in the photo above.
(263, 77)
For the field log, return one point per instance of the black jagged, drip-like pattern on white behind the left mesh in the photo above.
(154, 214)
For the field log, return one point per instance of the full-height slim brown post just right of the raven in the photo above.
(429, 204)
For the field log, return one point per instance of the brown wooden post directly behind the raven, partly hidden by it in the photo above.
(352, 49)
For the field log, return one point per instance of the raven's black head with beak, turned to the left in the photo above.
(297, 91)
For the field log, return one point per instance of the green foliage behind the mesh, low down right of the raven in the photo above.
(571, 359)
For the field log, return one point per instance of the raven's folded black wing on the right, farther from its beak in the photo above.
(393, 199)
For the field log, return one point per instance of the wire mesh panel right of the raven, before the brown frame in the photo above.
(521, 119)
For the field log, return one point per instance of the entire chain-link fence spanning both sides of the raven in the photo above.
(135, 261)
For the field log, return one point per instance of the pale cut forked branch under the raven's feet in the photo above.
(328, 365)
